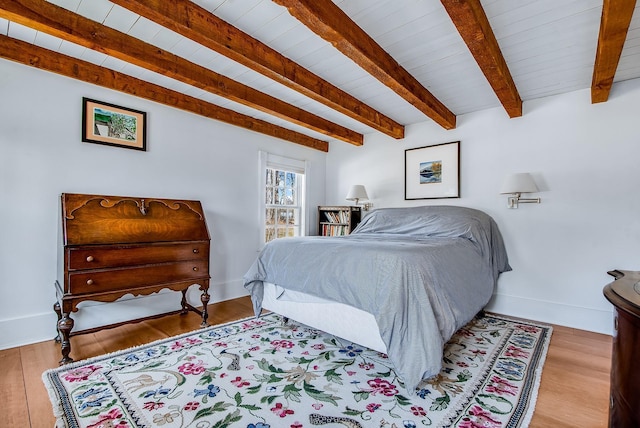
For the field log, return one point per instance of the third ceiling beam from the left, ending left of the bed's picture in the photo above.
(196, 23)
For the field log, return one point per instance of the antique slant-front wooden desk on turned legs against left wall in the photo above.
(116, 245)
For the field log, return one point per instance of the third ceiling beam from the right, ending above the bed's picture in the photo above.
(329, 22)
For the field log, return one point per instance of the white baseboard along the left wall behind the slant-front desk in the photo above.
(42, 327)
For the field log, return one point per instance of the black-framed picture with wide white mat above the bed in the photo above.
(432, 172)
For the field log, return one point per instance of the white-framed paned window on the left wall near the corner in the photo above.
(283, 204)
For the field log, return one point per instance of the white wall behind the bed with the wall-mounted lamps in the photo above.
(584, 157)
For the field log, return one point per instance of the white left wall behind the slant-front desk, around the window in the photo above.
(188, 157)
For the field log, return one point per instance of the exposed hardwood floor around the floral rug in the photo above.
(574, 390)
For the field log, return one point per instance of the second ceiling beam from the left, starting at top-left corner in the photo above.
(59, 22)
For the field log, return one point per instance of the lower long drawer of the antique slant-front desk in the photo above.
(87, 282)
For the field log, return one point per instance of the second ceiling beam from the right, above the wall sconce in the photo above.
(473, 25)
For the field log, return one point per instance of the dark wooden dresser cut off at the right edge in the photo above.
(624, 294)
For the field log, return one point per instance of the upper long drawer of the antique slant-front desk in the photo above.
(133, 255)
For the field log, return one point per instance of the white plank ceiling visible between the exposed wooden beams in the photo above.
(549, 47)
